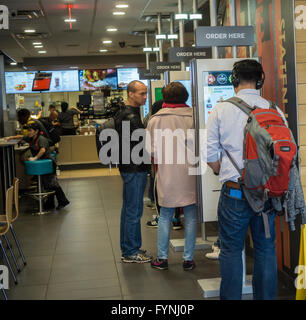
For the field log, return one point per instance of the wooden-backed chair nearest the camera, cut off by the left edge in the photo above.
(5, 221)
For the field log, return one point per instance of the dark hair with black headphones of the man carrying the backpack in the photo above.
(248, 70)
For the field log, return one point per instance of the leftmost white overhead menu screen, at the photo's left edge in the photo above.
(19, 82)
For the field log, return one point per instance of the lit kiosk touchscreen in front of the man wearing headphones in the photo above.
(217, 88)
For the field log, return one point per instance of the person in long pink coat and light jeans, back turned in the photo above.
(176, 180)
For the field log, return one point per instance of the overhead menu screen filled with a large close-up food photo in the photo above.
(98, 79)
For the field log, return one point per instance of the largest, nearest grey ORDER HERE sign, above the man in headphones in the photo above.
(224, 36)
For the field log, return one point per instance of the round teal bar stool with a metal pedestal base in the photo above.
(38, 168)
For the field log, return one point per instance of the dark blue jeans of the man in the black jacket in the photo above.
(132, 208)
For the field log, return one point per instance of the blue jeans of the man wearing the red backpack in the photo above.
(235, 215)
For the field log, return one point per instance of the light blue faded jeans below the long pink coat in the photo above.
(164, 225)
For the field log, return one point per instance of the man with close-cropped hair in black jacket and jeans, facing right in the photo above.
(134, 176)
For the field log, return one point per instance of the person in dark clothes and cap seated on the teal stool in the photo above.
(39, 147)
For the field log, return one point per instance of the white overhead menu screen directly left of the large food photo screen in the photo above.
(64, 81)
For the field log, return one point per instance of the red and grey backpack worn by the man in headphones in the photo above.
(269, 152)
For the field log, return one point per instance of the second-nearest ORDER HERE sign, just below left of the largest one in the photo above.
(185, 54)
